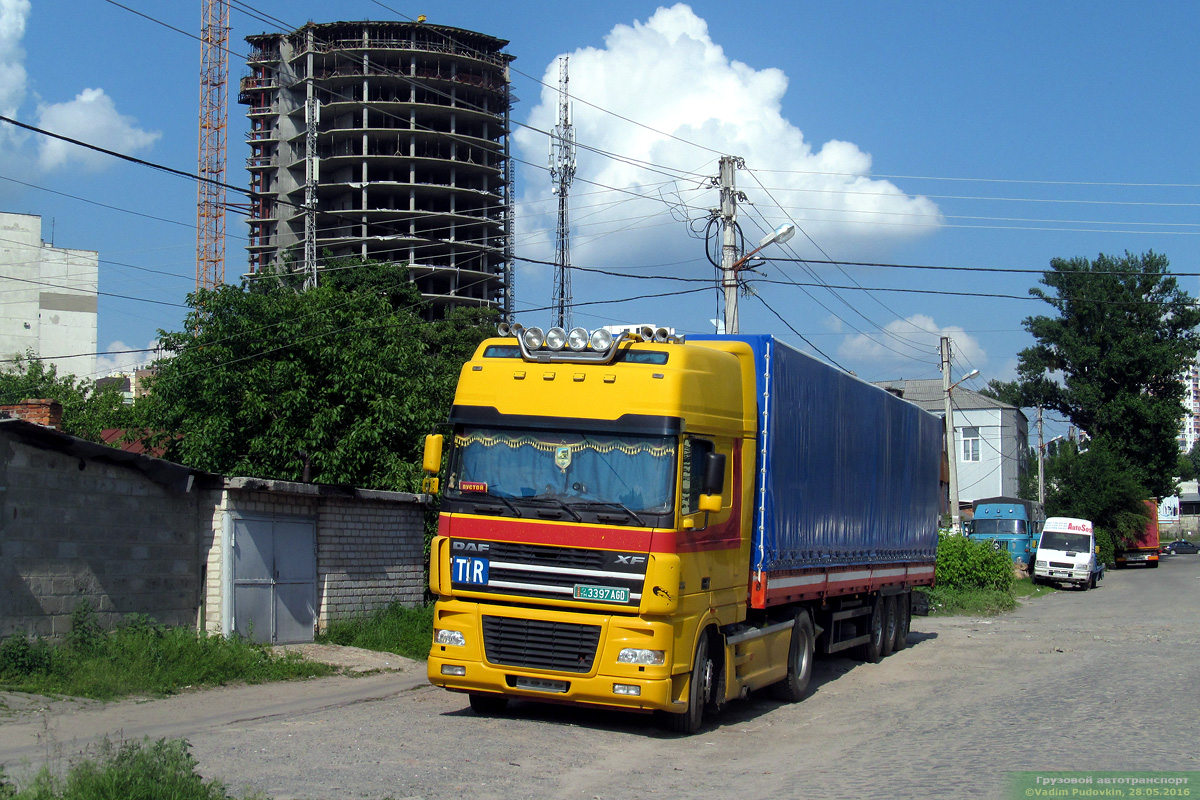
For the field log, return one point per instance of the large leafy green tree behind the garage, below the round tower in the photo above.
(338, 384)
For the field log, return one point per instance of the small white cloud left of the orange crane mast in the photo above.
(93, 118)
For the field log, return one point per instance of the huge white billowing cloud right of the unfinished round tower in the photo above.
(669, 75)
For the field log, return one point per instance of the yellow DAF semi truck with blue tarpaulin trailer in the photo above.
(645, 524)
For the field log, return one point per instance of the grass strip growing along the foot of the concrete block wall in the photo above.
(141, 658)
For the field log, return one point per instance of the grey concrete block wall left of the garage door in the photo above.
(75, 530)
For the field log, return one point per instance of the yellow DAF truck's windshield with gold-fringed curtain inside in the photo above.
(578, 470)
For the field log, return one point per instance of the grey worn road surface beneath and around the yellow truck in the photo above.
(1089, 681)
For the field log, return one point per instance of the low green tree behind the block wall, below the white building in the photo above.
(87, 411)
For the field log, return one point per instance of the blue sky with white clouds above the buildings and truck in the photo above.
(982, 135)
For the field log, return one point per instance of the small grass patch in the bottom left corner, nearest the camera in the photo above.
(134, 772)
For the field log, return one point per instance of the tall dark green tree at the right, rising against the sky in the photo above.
(1112, 358)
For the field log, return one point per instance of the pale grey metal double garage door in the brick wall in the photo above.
(275, 579)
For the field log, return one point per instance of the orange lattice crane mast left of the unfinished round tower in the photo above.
(211, 167)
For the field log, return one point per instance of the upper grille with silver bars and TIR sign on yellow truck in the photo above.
(551, 573)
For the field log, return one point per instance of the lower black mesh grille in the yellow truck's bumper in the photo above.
(539, 645)
